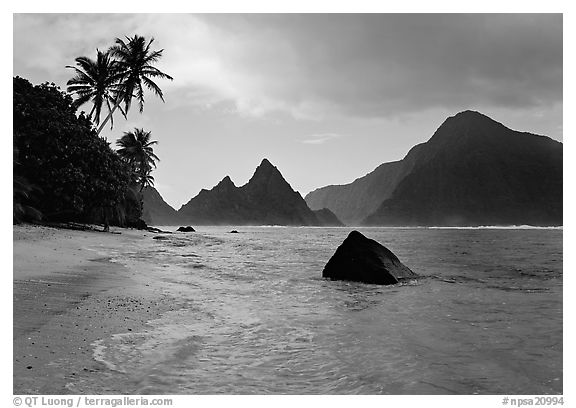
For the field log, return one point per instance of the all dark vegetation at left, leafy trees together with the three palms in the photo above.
(63, 171)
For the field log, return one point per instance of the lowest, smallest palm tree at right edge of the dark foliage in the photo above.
(136, 149)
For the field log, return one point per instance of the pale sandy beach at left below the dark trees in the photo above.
(68, 294)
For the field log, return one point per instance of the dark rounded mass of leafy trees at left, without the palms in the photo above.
(81, 178)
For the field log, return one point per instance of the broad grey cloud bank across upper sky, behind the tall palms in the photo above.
(314, 66)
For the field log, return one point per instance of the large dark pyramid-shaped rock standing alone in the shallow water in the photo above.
(362, 259)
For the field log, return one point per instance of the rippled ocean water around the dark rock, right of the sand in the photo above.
(252, 315)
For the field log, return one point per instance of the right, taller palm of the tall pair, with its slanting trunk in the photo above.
(135, 63)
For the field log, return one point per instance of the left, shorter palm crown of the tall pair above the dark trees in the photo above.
(96, 82)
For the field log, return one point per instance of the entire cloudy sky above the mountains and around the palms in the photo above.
(325, 97)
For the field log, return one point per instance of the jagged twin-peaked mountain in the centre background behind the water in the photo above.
(267, 199)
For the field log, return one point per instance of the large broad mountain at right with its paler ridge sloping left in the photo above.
(473, 171)
